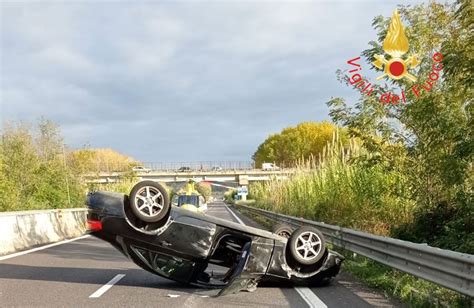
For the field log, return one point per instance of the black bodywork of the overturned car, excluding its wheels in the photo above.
(196, 237)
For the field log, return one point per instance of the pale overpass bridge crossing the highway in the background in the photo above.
(241, 177)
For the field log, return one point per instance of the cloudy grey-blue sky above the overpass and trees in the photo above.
(186, 81)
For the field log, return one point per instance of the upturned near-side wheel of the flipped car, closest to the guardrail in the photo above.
(307, 245)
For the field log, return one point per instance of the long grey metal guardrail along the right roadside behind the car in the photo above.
(446, 268)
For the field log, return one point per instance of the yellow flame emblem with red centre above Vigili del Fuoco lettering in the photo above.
(396, 45)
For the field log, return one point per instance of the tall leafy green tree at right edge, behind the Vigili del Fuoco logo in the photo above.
(434, 130)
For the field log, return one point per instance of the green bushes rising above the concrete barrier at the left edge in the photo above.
(33, 169)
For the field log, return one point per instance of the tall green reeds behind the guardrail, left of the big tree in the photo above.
(340, 189)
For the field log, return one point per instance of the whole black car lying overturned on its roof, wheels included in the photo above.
(194, 248)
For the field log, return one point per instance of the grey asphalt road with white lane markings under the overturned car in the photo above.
(89, 272)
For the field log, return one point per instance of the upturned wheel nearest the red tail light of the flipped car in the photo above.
(149, 201)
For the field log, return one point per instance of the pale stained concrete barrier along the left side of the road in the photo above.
(26, 229)
